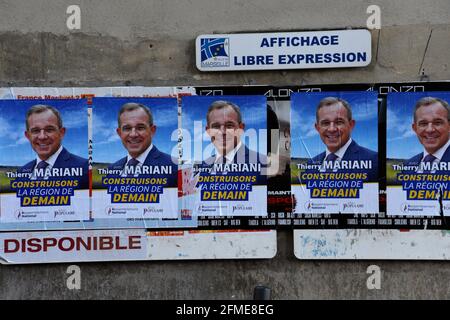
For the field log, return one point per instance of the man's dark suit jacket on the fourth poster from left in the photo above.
(355, 152)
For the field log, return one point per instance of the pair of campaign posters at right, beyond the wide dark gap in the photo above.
(335, 160)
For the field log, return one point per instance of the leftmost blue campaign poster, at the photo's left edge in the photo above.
(44, 160)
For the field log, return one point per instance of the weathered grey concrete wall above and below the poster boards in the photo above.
(152, 43)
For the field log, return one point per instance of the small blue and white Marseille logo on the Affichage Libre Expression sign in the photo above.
(214, 52)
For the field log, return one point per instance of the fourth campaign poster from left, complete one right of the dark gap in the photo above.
(334, 155)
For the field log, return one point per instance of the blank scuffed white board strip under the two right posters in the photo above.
(366, 244)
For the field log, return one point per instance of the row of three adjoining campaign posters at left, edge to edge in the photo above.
(121, 158)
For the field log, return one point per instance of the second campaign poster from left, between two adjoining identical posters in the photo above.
(135, 158)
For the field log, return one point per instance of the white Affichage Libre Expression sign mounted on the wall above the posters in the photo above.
(289, 50)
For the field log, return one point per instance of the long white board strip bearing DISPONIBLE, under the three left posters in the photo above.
(135, 244)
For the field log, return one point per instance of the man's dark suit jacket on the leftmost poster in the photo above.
(65, 160)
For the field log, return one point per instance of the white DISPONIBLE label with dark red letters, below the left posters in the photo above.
(44, 247)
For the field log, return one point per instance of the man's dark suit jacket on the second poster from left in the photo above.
(155, 158)
